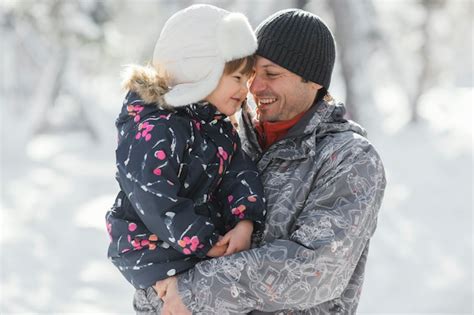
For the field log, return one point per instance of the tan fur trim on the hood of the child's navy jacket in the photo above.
(146, 82)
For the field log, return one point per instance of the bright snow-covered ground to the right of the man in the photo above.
(421, 255)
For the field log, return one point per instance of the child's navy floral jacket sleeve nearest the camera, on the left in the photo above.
(148, 170)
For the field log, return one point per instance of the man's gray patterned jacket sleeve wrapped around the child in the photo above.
(317, 261)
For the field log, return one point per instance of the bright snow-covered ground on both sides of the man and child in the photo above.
(56, 189)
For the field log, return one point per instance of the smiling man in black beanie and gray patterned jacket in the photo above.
(324, 184)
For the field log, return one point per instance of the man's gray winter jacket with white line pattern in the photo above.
(324, 184)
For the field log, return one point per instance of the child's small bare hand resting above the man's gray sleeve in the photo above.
(237, 239)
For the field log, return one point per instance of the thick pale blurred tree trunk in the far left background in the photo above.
(57, 79)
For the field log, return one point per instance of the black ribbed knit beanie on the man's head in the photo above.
(300, 42)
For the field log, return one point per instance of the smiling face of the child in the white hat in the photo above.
(230, 92)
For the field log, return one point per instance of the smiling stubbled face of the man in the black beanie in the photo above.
(279, 93)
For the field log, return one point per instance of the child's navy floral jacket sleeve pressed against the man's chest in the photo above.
(241, 192)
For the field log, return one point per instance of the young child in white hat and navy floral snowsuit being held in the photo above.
(184, 180)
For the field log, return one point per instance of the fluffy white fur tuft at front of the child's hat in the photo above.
(235, 37)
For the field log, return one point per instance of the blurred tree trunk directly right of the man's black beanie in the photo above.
(355, 32)
